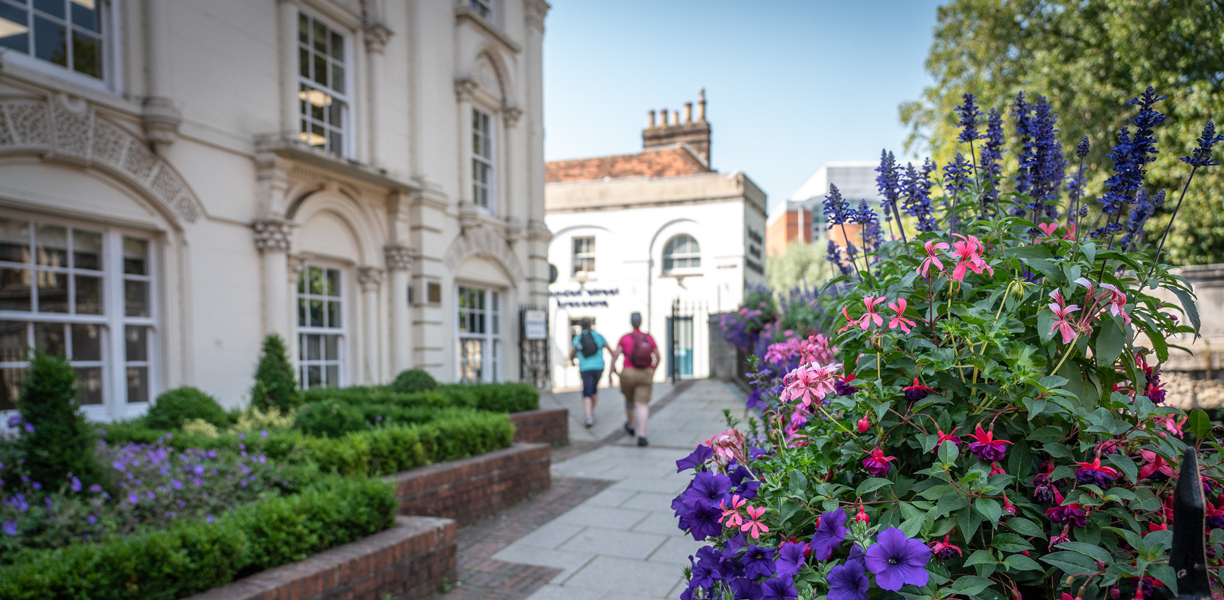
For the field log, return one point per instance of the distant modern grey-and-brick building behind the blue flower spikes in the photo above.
(856, 181)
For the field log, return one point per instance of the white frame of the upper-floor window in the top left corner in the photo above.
(110, 35)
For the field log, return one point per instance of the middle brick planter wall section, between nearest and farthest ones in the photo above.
(472, 489)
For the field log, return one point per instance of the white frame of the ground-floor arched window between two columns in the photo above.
(342, 334)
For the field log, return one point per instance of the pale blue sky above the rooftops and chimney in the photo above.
(790, 85)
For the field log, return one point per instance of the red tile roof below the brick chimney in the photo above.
(671, 162)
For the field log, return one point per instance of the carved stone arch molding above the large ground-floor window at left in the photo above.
(59, 129)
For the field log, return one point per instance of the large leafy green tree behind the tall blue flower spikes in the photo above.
(1089, 58)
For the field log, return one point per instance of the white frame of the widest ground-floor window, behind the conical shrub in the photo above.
(112, 323)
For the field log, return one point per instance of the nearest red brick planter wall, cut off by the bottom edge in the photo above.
(408, 561)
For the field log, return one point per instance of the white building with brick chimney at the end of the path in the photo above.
(637, 233)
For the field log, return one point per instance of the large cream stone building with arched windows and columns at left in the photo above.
(179, 178)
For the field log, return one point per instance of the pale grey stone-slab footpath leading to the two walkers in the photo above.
(622, 543)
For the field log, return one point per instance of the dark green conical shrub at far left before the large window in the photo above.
(54, 435)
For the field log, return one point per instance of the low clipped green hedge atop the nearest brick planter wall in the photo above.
(198, 557)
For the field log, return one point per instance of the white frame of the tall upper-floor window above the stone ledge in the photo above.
(326, 94)
